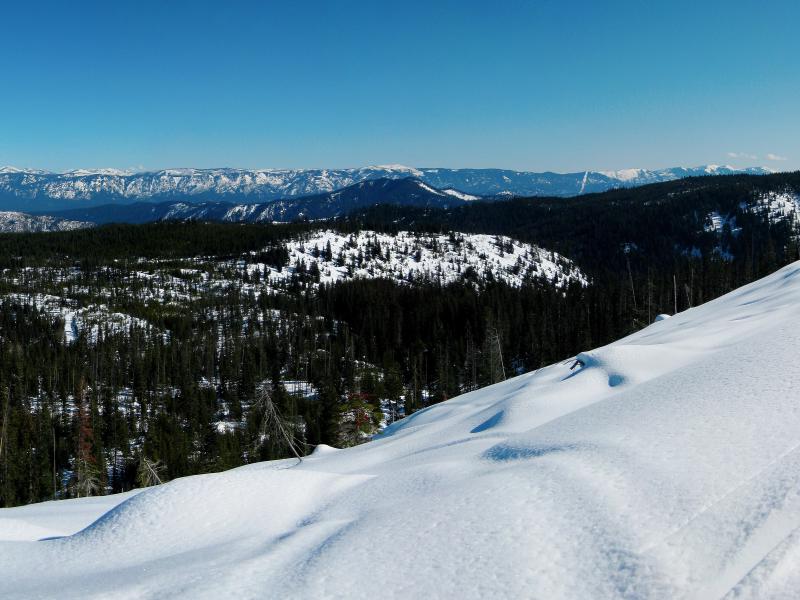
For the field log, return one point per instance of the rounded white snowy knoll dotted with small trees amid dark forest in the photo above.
(413, 257)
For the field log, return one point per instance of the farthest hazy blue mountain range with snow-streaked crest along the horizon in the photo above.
(36, 190)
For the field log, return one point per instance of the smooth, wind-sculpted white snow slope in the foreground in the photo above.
(666, 466)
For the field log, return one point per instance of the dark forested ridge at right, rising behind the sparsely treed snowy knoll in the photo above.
(658, 219)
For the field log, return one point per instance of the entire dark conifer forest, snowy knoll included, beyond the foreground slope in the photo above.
(131, 354)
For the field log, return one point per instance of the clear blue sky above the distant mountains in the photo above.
(534, 85)
